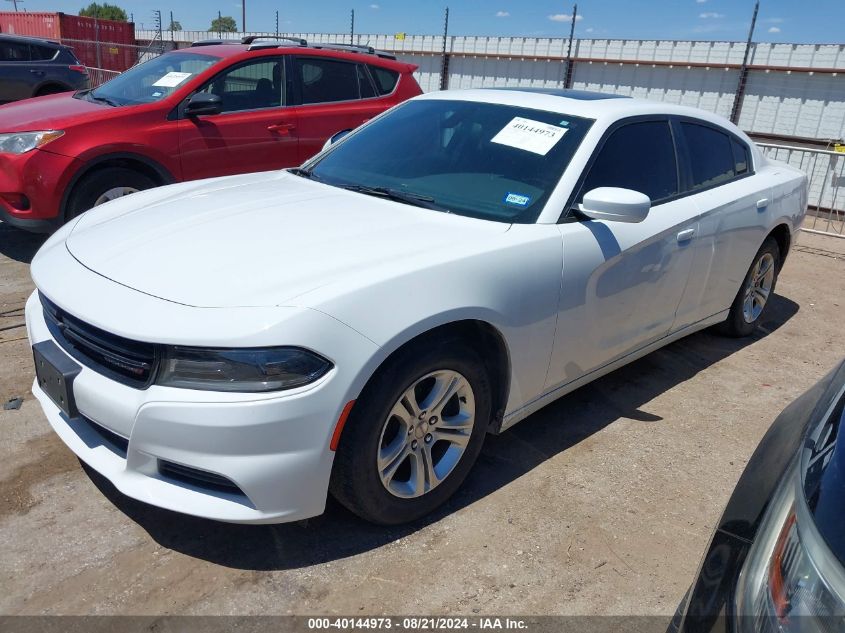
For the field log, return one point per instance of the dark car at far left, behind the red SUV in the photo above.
(32, 67)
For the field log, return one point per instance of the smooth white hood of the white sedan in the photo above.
(260, 239)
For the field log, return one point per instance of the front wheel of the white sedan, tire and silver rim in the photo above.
(414, 434)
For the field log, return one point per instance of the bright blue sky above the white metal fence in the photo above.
(814, 21)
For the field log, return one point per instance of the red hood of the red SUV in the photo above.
(47, 113)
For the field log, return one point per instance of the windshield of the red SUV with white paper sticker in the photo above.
(151, 81)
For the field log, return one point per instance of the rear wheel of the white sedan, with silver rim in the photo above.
(754, 296)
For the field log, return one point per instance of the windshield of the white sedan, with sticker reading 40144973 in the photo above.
(490, 161)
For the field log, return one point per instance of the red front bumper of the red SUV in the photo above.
(41, 177)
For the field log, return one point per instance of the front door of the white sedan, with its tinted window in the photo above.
(622, 283)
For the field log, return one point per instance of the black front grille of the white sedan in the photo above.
(131, 362)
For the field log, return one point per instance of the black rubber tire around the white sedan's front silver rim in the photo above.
(355, 480)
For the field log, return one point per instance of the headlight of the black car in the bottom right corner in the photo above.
(791, 580)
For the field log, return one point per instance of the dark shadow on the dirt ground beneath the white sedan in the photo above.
(338, 533)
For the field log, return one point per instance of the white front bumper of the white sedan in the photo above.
(274, 448)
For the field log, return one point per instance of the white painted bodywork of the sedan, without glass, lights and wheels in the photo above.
(274, 259)
